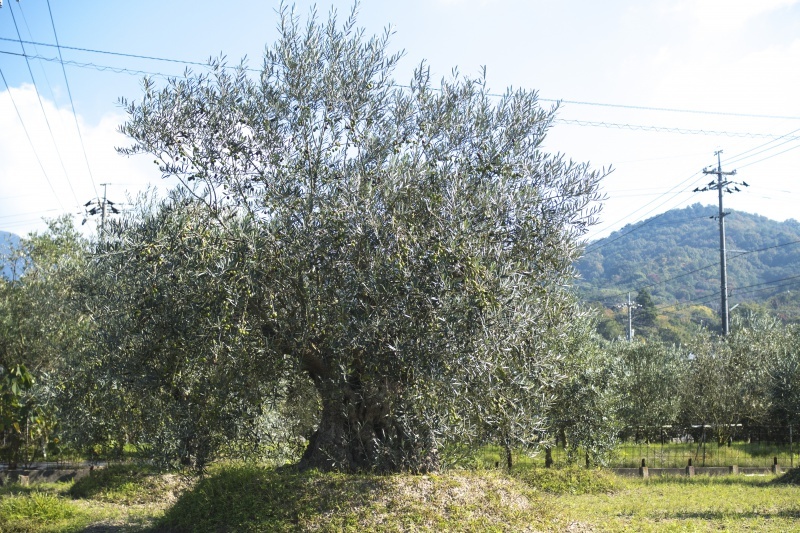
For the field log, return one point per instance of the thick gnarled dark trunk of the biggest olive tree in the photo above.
(362, 429)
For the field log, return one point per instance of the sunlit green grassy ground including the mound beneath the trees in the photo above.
(251, 498)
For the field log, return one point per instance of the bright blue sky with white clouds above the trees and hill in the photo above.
(651, 89)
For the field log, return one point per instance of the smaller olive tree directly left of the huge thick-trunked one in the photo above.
(176, 366)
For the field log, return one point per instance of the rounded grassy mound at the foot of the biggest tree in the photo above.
(247, 498)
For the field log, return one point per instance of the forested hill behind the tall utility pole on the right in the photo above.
(675, 256)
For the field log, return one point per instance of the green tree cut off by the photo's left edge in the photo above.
(39, 327)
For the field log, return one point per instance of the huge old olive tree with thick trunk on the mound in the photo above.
(414, 243)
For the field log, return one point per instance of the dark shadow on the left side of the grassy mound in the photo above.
(252, 498)
